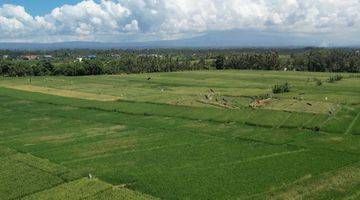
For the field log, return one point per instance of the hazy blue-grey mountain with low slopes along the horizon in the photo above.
(216, 39)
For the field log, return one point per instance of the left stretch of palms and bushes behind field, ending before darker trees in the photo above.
(132, 64)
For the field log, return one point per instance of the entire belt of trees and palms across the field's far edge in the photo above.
(321, 60)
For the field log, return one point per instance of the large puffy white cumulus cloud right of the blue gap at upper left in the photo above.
(88, 17)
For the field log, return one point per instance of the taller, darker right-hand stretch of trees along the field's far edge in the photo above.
(315, 60)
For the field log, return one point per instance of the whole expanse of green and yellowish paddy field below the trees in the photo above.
(183, 135)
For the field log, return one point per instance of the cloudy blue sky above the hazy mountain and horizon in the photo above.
(148, 20)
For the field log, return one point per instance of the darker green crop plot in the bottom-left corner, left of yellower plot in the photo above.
(23, 174)
